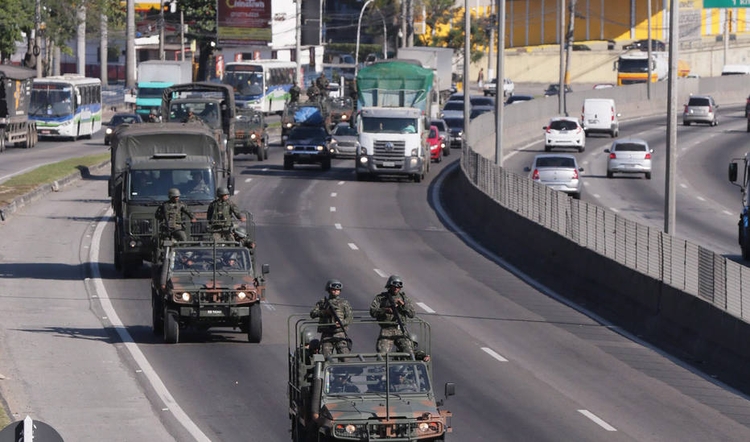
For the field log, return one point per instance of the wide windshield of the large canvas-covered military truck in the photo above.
(154, 184)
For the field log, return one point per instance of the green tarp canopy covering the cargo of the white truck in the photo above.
(394, 84)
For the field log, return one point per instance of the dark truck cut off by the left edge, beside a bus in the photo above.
(15, 98)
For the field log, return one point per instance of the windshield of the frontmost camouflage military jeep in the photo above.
(375, 379)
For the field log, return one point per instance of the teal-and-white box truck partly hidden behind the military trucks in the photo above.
(153, 77)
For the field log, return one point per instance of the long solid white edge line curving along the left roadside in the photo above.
(140, 360)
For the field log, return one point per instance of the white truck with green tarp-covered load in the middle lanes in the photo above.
(394, 98)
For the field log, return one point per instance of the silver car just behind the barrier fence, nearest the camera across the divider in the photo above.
(559, 172)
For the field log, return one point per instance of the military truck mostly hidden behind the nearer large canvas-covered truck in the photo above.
(216, 101)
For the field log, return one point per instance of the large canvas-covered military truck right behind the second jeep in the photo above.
(146, 161)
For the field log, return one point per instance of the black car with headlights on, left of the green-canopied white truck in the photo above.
(307, 145)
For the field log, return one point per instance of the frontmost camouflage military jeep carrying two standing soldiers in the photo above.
(362, 396)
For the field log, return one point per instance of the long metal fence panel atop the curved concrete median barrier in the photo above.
(678, 263)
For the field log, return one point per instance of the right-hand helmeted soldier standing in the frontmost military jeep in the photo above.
(389, 308)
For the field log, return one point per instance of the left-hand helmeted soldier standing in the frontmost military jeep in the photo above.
(335, 315)
